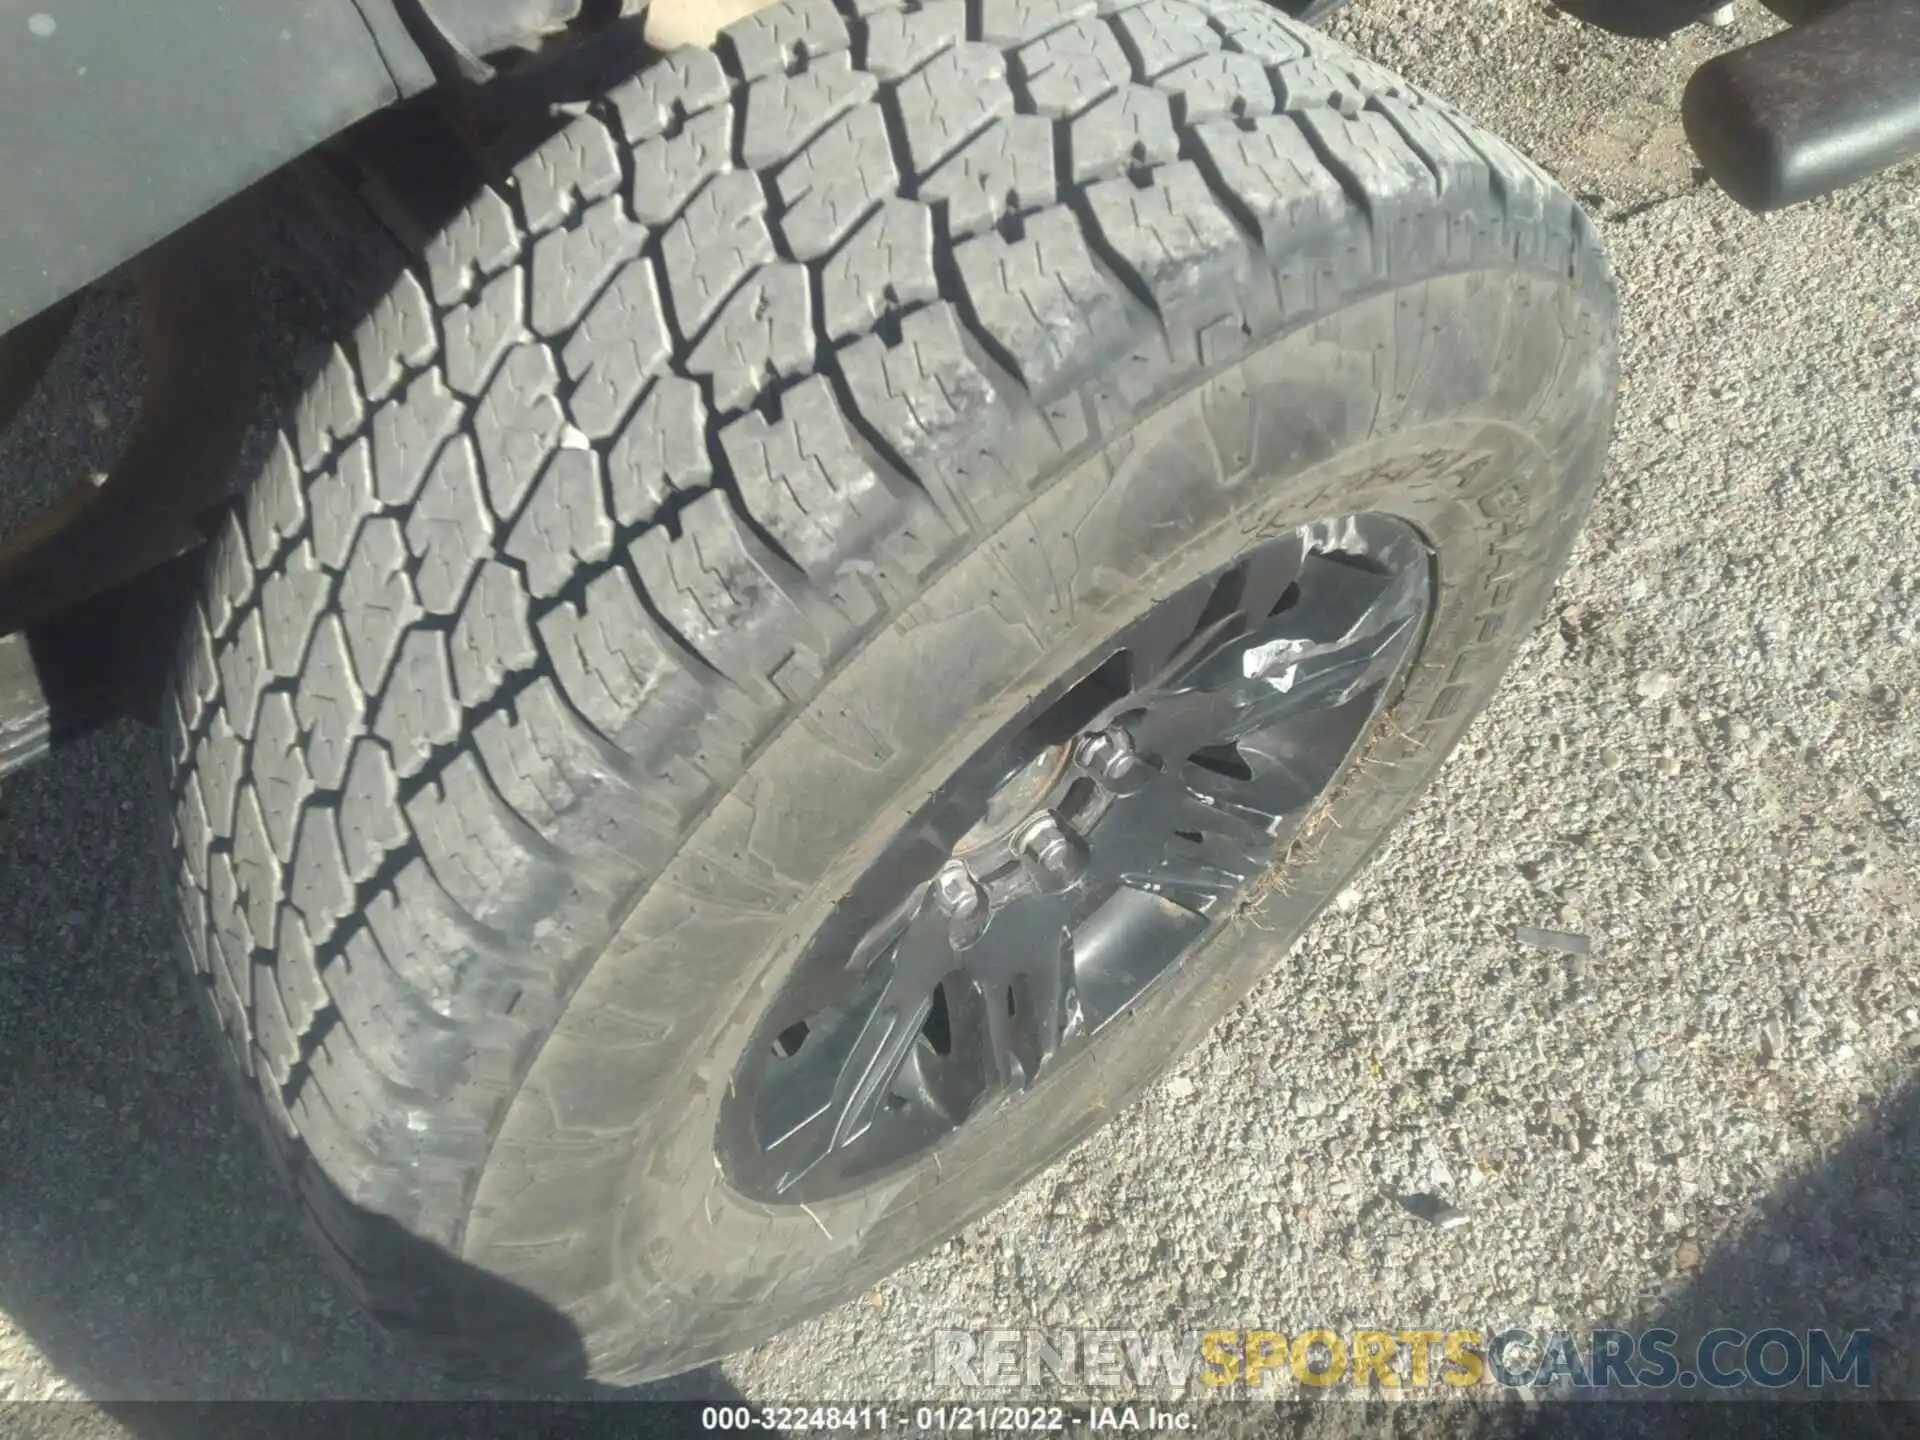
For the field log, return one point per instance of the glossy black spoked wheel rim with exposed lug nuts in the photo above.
(1076, 859)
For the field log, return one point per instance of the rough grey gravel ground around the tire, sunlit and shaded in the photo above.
(1706, 761)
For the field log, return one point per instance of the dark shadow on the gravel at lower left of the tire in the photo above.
(147, 1247)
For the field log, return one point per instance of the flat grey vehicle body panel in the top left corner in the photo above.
(128, 122)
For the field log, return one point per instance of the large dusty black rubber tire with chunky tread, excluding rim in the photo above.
(713, 487)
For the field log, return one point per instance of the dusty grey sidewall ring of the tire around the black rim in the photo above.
(667, 1266)
